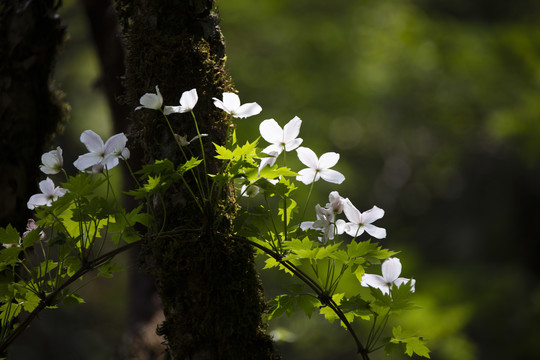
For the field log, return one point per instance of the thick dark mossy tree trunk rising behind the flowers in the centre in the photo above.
(209, 288)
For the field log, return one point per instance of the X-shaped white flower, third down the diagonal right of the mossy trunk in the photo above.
(318, 167)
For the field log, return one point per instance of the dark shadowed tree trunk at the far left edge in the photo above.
(30, 107)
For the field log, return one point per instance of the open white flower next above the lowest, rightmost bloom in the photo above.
(360, 222)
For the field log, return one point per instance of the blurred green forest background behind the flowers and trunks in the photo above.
(434, 107)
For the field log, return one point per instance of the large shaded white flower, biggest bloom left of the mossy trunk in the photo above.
(101, 155)
